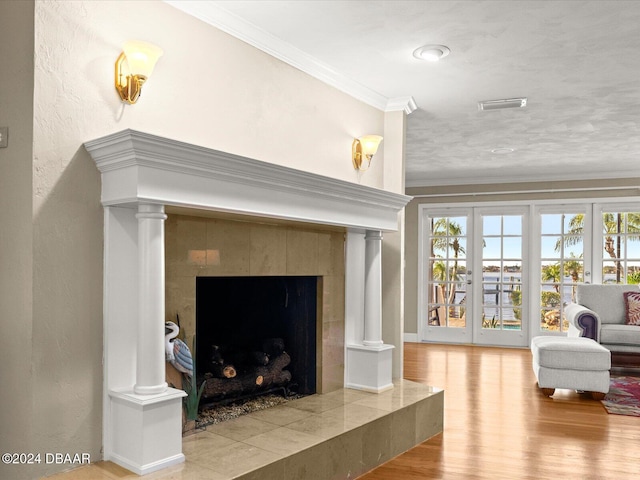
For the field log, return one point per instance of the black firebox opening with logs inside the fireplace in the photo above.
(245, 325)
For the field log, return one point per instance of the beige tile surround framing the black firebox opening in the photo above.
(220, 247)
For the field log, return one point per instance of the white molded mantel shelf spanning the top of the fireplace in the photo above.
(138, 167)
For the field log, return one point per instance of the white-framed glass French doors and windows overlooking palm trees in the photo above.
(485, 279)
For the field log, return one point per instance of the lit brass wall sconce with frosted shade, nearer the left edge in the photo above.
(141, 57)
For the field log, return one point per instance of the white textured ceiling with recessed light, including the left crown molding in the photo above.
(577, 62)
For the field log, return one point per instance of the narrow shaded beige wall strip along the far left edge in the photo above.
(16, 112)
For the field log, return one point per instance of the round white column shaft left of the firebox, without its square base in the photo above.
(150, 358)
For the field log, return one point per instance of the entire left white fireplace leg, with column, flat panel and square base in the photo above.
(142, 429)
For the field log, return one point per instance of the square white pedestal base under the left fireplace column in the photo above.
(146, 430)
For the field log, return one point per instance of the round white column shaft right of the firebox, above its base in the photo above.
(373, 288)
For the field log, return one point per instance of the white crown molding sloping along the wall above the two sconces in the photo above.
(217, 16)
